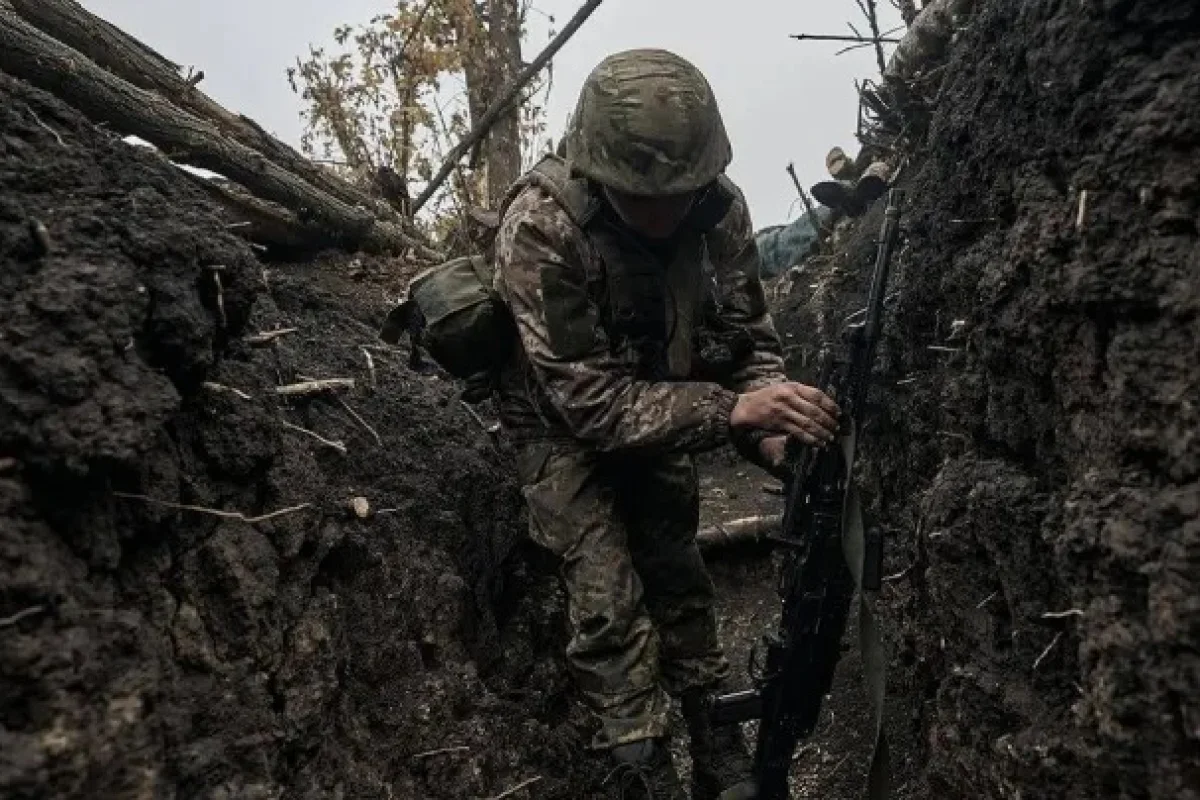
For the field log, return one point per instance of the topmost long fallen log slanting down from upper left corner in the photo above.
(125, 57)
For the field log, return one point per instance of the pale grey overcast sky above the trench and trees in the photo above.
(783, 100)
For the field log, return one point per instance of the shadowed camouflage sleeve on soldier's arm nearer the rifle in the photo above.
(743, 303)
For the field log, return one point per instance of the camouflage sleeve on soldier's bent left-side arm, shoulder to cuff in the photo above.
(542, 275)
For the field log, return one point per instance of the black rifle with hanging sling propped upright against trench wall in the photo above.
(826, 558)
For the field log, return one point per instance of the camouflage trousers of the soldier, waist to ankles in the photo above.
(640, 601)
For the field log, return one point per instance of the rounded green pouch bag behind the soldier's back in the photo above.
(455, 315)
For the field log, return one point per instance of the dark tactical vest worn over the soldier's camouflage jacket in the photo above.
(652, 309)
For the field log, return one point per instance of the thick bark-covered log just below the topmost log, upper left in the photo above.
(46, 63)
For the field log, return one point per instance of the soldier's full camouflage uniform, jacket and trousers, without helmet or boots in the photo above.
(632, 357)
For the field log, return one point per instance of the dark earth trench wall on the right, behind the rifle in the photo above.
(1034, 449)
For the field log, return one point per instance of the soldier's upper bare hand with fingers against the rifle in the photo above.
(794, 410)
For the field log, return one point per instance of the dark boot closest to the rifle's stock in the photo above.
(722, 768)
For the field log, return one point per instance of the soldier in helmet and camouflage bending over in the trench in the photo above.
(632, 274)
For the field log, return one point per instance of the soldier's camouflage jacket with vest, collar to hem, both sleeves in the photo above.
(584, 292)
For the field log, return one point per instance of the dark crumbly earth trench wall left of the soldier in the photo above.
(154, 645)
